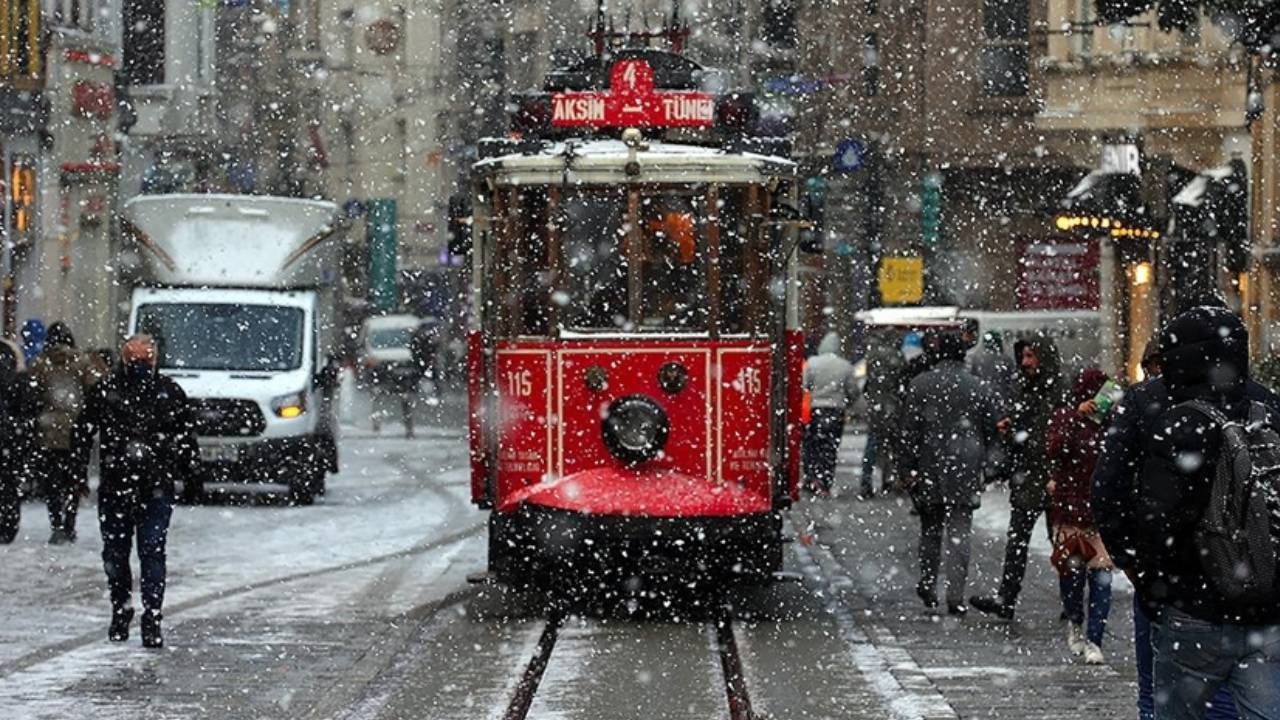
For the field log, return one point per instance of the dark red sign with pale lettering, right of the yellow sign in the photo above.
(1058, 274)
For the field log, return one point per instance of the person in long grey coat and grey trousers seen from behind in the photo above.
(949, 422)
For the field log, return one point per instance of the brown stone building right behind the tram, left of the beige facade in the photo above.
(920, 126)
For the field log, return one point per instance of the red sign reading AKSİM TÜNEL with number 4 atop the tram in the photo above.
(633, 102)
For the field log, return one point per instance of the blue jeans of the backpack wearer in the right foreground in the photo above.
(1194, 659)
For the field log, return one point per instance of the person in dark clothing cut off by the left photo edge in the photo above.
(17, 426)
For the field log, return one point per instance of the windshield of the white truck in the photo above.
(225, 336)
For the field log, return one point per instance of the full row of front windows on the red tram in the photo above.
(674, 259)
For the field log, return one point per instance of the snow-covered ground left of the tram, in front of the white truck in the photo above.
(391, 496)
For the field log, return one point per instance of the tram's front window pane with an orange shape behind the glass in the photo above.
(674, 288)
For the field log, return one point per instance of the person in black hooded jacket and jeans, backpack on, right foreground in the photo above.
(1201, 641)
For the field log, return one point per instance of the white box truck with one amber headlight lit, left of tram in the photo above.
(241, 297)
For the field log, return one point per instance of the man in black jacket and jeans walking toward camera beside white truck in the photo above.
(145, 427)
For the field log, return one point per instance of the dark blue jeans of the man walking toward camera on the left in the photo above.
(121, 517)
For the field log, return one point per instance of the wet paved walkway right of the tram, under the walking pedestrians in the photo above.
(984, 668)
